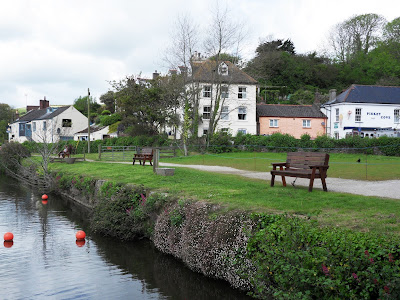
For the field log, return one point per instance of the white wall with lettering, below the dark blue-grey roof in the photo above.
(372, 116)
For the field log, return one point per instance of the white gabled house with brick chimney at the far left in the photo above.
(47, 124)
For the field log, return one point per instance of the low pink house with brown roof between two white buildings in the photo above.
(295, 120)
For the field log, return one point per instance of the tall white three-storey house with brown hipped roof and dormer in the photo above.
(237, 90)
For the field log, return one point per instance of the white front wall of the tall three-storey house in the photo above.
(233, 124)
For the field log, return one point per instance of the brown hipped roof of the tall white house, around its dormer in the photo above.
(204, 71)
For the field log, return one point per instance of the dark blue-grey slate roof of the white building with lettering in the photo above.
(369, 94)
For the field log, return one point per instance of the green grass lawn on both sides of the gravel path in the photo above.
(234, 192)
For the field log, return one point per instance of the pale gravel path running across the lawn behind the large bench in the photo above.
(387, 188)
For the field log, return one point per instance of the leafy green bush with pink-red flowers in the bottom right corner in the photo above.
(296, 259)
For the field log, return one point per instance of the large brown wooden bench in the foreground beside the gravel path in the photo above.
(304, 165)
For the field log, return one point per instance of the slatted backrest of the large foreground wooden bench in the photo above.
(303, 160)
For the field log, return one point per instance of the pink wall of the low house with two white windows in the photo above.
(292, 126)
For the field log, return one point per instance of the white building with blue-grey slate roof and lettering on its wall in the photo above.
(368, 111)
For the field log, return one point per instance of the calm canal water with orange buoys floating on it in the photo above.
(45, 261)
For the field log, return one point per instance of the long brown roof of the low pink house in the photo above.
(289, 111)
